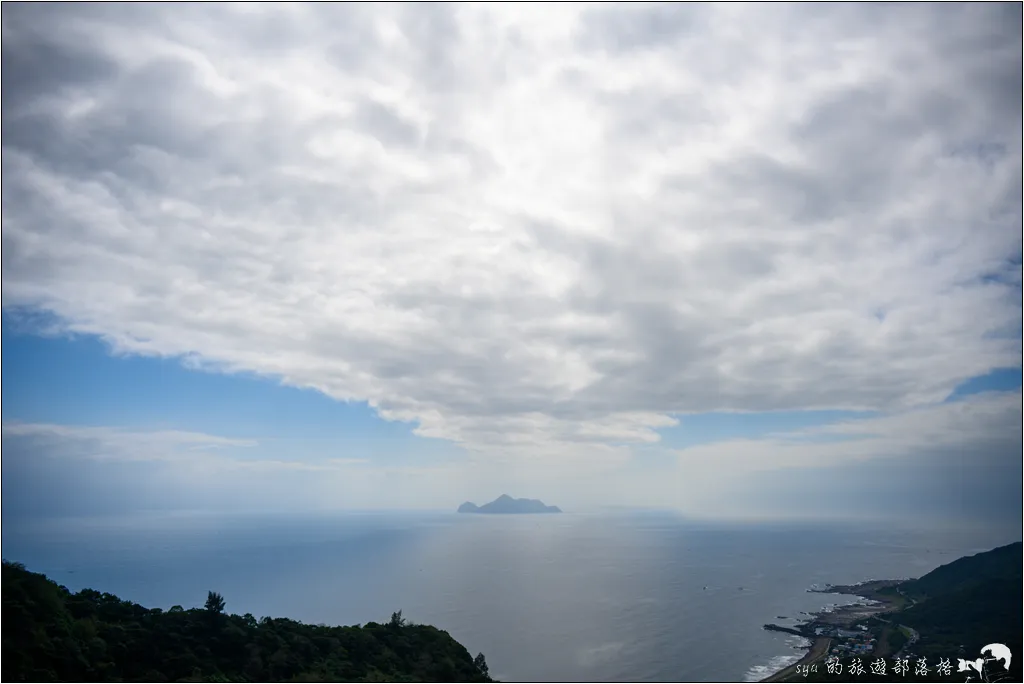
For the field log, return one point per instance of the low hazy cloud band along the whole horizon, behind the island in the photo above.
(957, 462)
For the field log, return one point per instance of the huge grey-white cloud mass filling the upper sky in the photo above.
(532, 234)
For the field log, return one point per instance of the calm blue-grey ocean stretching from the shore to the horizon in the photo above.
(618, 597)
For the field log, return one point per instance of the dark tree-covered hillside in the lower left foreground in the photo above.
(55, 635)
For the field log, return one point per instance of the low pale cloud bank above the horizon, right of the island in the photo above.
(956, 463)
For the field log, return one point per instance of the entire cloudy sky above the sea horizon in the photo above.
(735, 261)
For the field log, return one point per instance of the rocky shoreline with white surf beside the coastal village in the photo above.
(839, 618)
